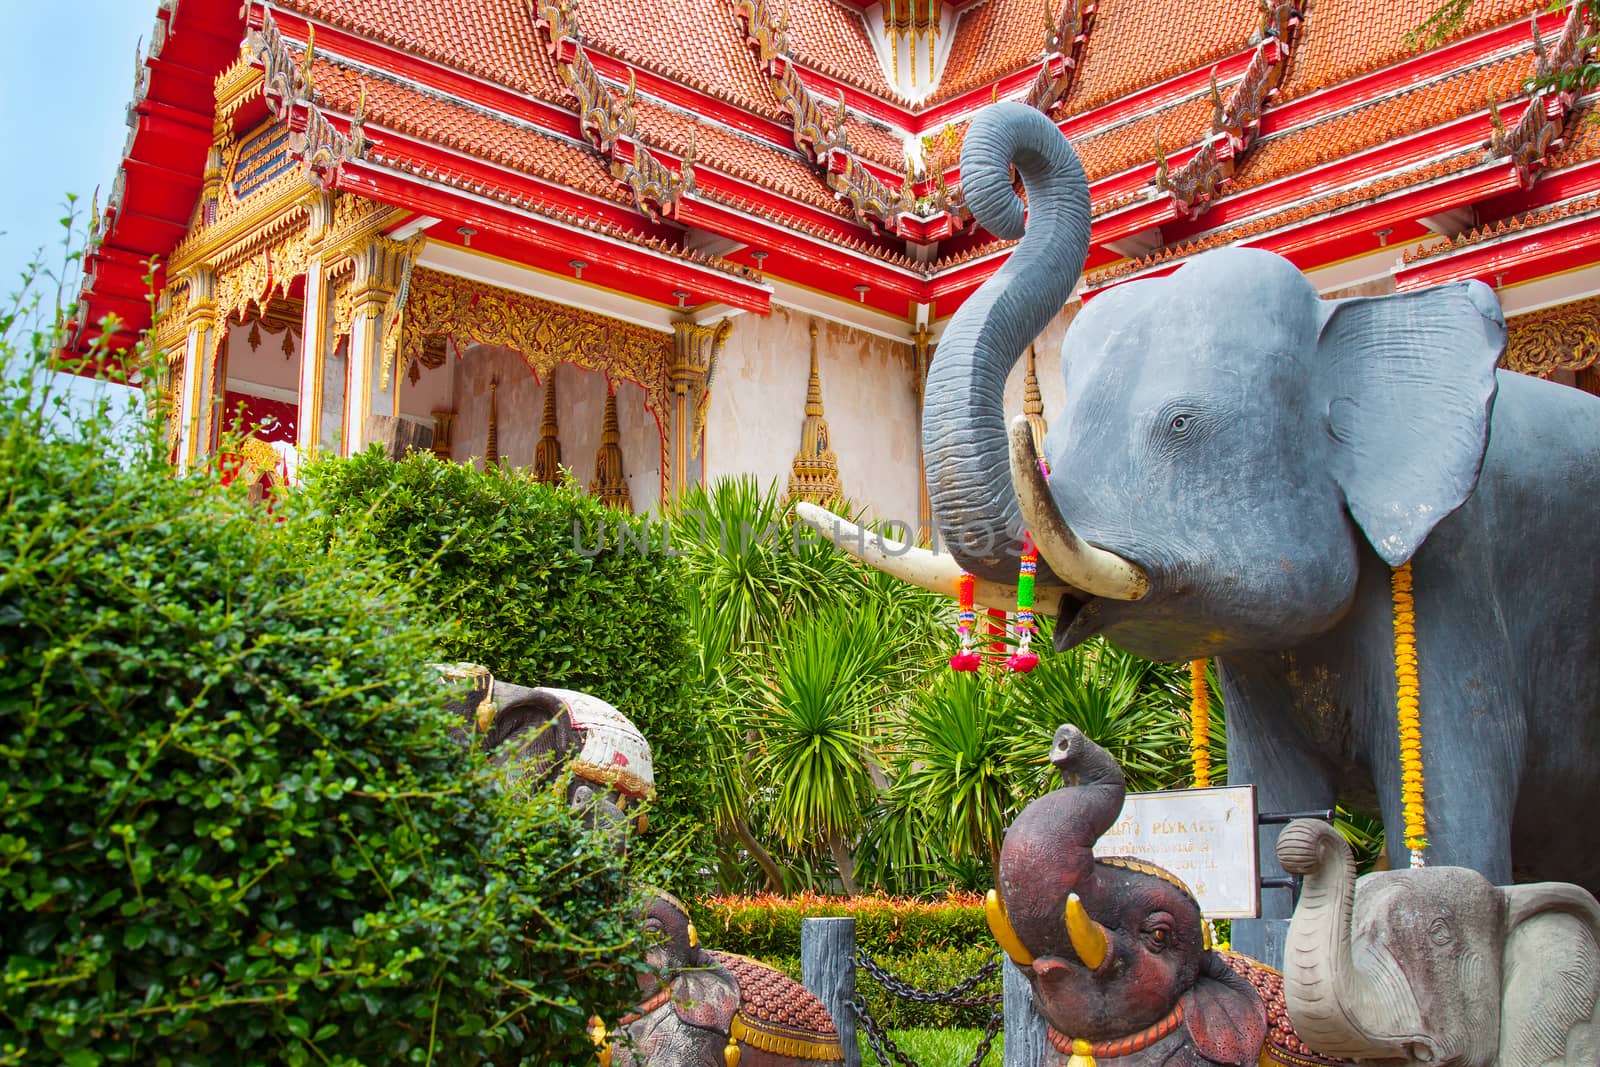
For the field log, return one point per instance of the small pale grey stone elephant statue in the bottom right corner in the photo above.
(1439, 965)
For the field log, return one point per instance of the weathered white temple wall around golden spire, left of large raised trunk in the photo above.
(758, 409)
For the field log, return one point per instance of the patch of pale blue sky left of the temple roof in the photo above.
(66, 74)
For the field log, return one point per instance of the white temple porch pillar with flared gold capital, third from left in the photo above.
(374, 388)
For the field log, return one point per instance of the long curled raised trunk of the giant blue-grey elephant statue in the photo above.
(966, 446)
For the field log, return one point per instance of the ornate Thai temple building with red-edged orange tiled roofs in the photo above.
(657, 244)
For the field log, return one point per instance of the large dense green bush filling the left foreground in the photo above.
(233, 825)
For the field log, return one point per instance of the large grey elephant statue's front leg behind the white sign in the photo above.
(1268, 751)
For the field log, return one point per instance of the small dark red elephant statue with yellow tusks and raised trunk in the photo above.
(1116, 949)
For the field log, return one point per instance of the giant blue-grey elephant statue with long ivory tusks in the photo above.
(1238, 468)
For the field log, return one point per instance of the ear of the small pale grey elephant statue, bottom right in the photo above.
(1551, 978)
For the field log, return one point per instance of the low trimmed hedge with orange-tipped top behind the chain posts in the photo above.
(926, 945)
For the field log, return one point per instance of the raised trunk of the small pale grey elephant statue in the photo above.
(1330, 1004)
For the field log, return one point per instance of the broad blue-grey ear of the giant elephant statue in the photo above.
(1410, 382)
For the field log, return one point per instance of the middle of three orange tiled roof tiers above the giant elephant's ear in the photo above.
(1385, 121)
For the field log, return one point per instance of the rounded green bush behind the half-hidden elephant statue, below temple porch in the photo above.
(516, 565)
